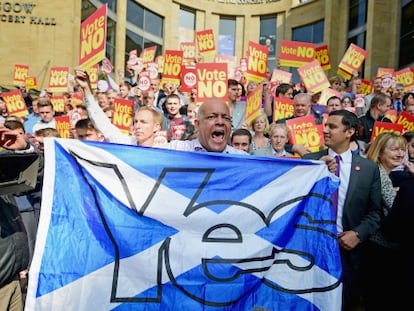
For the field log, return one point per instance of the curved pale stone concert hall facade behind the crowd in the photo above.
(45, 33)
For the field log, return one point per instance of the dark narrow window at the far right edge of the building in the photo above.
(406, 56)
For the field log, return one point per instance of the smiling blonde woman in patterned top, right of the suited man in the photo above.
(381, 257)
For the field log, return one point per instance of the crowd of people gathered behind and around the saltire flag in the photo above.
(375, 177)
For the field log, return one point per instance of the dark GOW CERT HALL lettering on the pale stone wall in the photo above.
(23, 13)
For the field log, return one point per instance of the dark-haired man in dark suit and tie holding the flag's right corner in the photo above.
(359, 199)
